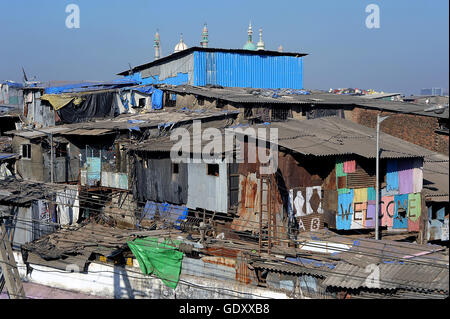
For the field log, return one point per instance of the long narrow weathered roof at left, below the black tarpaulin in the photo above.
(124, 122)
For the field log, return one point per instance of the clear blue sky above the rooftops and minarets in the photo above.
(409, 51)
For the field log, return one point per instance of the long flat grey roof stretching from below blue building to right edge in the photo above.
(298, 97)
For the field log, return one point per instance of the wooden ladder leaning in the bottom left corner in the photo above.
(9, 267)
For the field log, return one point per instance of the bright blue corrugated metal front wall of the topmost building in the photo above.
(246, 70)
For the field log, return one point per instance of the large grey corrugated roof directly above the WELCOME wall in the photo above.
(335, 136)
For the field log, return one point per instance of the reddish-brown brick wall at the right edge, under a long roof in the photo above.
(416, 129)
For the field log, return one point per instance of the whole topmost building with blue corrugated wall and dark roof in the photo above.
(225, 67)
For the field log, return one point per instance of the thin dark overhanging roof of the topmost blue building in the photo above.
(188, 51)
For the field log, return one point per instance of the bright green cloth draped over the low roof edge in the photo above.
(161, 259)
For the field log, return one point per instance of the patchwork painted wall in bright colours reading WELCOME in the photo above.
(400, 198)
